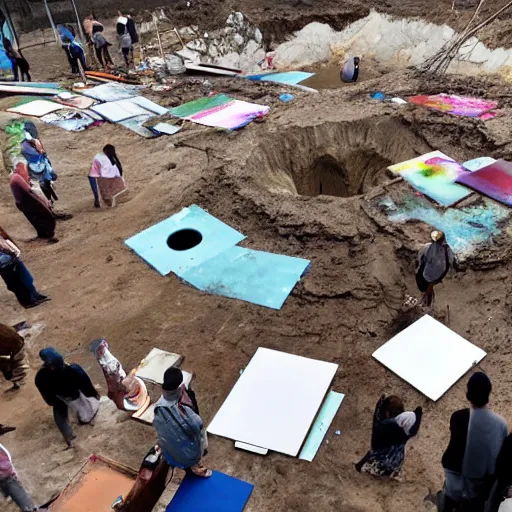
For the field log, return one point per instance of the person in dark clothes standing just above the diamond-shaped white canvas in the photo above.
(434, 261)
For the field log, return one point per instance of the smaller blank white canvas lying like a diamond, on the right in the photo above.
(429, 356)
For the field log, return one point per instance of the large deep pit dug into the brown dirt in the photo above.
(342, 159)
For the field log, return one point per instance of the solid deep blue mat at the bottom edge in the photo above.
(219, 493)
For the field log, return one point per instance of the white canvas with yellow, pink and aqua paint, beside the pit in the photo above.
(434, 175)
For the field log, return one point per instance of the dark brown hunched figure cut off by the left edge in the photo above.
(13, 363)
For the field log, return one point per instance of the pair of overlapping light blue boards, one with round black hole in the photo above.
(207, 258)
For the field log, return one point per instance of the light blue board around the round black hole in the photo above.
(151, 244)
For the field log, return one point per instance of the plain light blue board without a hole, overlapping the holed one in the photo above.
(259, 277)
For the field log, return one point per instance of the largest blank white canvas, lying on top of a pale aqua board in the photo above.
(275, 401)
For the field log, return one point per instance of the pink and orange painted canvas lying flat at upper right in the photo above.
(457, 105)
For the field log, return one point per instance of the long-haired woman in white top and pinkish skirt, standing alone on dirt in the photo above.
(106, 177)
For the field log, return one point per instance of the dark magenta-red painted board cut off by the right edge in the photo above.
(494, 181)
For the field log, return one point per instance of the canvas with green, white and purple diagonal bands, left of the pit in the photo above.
(220, 111)
